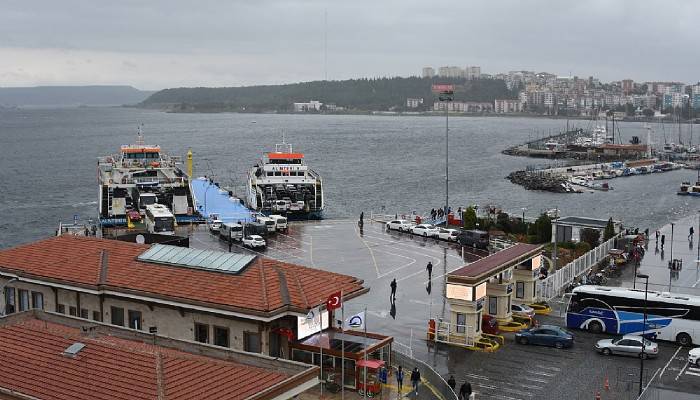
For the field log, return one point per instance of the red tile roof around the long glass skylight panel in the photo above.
(265, 286)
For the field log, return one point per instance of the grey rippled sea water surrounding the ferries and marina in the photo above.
(48, 163)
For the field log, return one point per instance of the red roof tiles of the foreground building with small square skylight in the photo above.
(32, 364)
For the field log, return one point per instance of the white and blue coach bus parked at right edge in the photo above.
(670, 316)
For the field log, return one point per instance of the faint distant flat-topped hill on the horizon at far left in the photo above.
(71, 96)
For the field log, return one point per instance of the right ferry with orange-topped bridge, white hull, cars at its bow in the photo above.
(283, 184)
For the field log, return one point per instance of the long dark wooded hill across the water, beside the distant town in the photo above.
(379, 94)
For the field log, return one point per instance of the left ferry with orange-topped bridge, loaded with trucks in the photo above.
(140, 175)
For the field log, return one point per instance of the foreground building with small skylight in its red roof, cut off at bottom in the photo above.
(49, 356)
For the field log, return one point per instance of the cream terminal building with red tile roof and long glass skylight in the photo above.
(250, 303)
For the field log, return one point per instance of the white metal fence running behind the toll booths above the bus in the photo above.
(555, 283)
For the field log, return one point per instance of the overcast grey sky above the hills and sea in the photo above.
(158, 44)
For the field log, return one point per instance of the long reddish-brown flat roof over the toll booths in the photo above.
(495, 263)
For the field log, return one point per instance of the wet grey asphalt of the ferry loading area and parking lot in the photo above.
(513, 372)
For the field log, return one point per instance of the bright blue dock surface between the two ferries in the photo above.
(210, 199)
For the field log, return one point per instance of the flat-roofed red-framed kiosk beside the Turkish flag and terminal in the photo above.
(330, 343)
